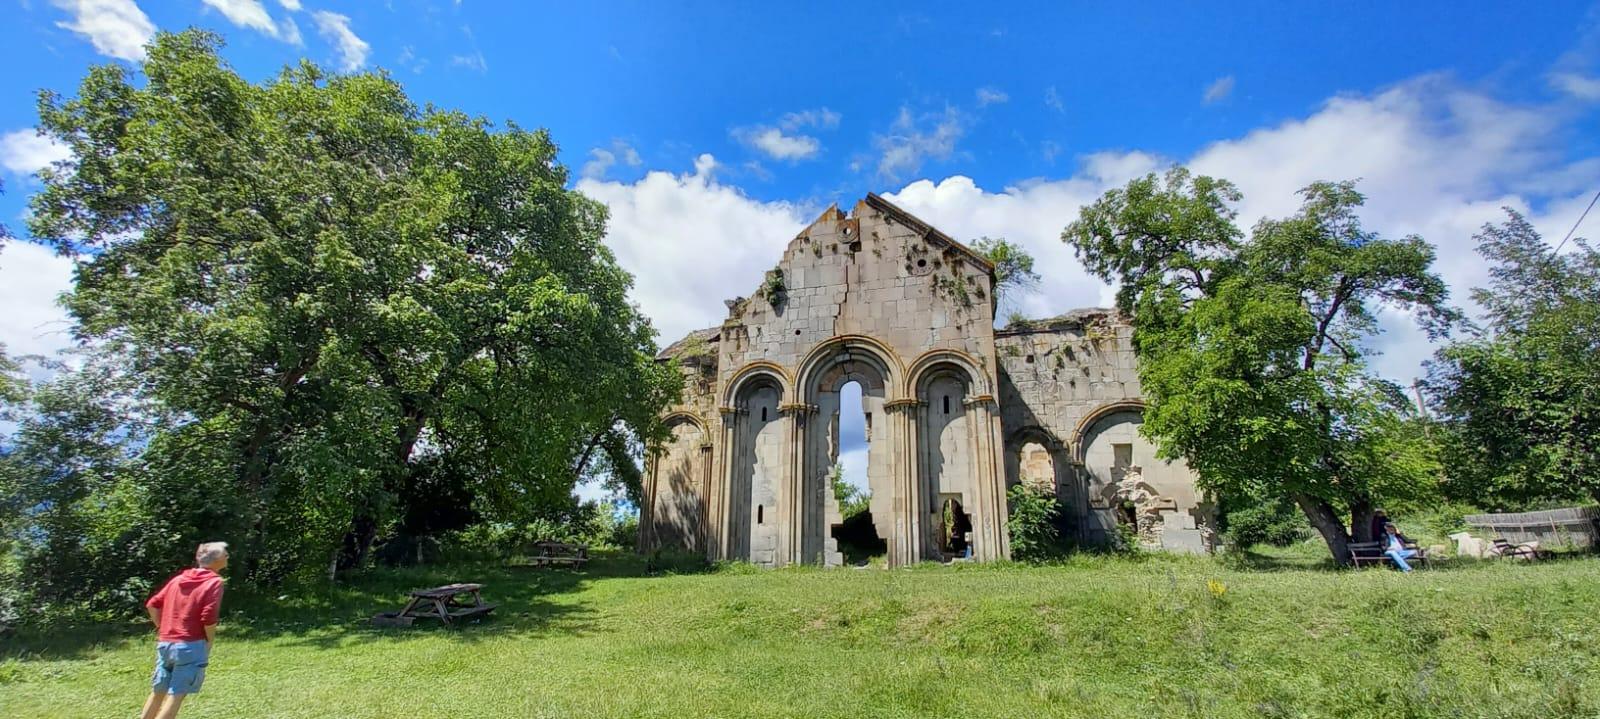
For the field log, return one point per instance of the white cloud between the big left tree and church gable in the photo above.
(694, 243)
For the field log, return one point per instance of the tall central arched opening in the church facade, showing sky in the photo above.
(854, 532)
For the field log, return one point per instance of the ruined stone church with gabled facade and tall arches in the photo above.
(956, 411)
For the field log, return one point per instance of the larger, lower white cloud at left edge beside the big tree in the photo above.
(31, 278)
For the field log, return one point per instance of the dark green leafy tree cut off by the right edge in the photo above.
(1522, 396)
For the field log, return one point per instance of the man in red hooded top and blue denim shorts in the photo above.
(185, 616)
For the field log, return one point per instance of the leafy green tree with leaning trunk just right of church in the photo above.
(1252, 351)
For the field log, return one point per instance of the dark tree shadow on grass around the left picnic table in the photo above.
(532, 603)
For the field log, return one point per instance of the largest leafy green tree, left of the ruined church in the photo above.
(324, 286)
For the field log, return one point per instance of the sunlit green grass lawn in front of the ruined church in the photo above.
(1094, 638)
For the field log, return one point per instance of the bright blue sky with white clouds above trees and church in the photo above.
(718, 131)
